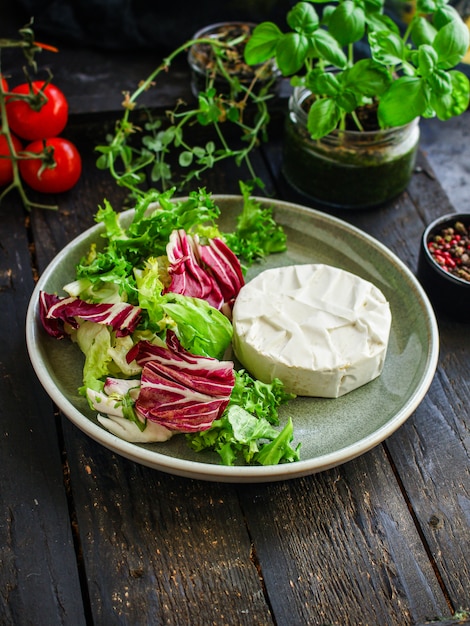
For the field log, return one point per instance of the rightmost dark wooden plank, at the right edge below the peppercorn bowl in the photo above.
(431, 453)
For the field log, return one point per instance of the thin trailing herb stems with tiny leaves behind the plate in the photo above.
(133, 153)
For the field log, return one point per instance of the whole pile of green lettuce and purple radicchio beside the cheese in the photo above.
(153, 351)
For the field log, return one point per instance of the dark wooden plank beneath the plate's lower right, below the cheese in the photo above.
(341, 548)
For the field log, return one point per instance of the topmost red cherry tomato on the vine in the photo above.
(49, 121)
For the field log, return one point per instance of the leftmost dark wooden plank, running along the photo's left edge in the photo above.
(39, 580)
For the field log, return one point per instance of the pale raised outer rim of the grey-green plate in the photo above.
(243, 473)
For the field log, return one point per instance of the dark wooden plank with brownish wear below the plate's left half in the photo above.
(159, 549)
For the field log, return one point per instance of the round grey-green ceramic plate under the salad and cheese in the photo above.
(332, 431)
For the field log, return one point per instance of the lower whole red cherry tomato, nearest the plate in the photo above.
(62, 177)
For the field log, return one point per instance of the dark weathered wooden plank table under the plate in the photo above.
(88, 537)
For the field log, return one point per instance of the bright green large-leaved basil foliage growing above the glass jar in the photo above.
(407, 74)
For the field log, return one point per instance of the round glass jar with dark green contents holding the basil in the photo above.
(347, 169)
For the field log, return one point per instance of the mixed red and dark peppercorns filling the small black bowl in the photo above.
(450, 249)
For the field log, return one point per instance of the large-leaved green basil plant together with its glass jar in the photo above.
(360, 86)
